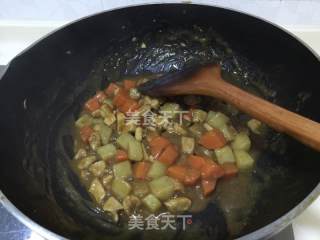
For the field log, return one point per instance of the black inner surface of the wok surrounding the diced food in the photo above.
(44, 88)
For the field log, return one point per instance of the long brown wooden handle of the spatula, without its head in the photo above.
(297, 126)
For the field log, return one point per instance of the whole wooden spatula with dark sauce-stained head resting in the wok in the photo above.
(208, 81)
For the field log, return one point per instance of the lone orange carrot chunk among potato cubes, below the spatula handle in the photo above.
(213, 139)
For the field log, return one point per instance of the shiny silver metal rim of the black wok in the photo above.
(265, 232)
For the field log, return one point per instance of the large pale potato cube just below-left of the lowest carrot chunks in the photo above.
(162, 188)
